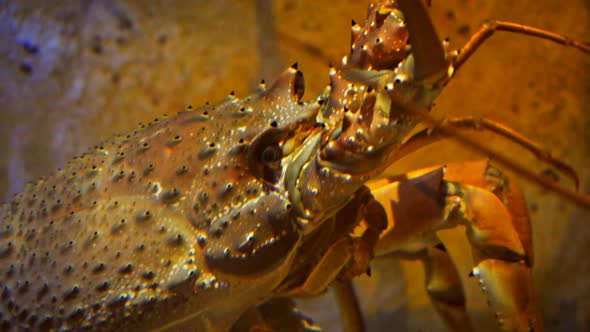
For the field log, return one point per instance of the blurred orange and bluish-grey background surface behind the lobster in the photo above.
(75, 72)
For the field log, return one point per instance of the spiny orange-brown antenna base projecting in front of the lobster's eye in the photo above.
(372, 103)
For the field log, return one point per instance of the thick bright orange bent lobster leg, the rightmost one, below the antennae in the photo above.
(476, 195)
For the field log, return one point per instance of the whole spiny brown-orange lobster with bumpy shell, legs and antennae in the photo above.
(212, 218)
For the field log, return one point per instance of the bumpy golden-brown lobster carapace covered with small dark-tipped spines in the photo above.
(148, 224)
